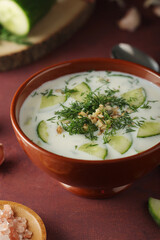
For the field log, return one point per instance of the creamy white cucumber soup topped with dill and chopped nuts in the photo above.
(93, 115)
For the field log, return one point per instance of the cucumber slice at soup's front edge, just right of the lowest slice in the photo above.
(120, 143)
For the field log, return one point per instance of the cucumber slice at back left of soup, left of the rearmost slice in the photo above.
(52, 100)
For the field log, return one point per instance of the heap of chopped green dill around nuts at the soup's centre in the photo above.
(79, 124)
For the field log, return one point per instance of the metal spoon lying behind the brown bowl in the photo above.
(127, 52)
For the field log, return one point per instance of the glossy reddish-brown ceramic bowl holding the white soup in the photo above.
(94, 179)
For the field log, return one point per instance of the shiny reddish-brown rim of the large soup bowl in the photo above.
(69, 159)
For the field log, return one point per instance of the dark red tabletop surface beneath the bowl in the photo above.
(67, 216)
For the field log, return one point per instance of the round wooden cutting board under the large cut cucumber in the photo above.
(63, 20)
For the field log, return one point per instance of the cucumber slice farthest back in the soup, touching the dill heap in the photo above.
(82, 90)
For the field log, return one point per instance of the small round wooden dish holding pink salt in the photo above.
(35, 223)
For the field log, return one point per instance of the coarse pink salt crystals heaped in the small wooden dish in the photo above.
(11, 227)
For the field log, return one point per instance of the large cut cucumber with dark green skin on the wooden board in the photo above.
(19, 16)
